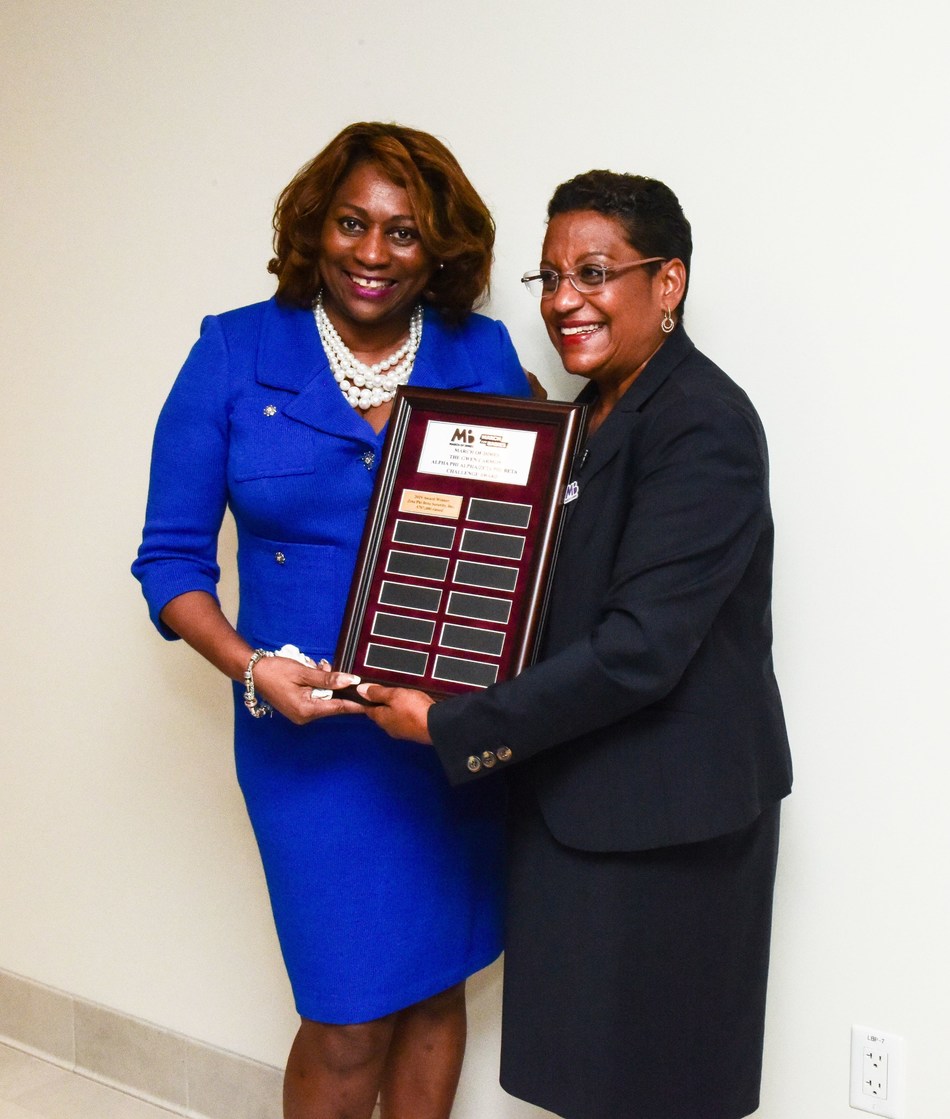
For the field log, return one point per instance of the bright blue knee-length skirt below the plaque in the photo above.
(387, 883)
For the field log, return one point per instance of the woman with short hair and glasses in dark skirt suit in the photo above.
(647, 749)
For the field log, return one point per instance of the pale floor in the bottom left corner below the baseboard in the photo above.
(32, 1089)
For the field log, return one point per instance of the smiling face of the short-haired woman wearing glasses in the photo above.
(608, 335)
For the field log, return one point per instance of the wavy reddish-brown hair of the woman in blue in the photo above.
(455, 225)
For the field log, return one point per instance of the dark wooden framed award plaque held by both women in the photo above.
(450, 588)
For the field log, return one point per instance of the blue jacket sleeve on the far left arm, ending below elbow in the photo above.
(189, 481)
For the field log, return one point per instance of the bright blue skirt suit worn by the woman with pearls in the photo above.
(385, 882)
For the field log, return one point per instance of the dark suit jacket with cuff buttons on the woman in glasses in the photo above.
(653, 717)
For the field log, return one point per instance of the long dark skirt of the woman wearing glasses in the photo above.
(635, 983)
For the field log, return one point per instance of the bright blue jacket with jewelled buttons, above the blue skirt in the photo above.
(256, 422)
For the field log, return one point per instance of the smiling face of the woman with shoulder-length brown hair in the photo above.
(373, 265)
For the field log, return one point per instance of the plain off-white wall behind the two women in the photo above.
(144, 146)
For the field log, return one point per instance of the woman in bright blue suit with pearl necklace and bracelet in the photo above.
(384, 881)
